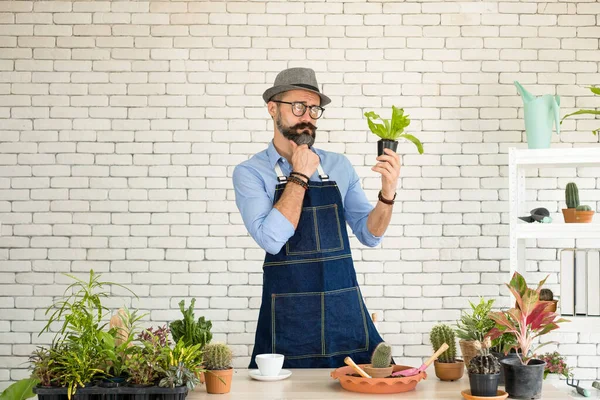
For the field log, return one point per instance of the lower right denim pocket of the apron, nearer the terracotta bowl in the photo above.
(346, 327)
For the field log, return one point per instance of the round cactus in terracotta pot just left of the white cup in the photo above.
(217, 360)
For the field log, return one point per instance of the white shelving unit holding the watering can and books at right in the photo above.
(519, 161)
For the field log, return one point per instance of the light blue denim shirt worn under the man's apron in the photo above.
(254, 182)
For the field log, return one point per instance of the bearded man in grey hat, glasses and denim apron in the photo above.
(295, 201)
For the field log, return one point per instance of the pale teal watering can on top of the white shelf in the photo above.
(540, 114)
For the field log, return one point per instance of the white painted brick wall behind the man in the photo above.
(121, 122)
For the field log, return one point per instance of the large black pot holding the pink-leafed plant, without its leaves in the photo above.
(523, 381)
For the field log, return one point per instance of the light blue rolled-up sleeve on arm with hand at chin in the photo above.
(267, 226)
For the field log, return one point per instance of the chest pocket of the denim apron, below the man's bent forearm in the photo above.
(318, 231)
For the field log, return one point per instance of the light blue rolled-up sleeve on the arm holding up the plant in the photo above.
(357, 209)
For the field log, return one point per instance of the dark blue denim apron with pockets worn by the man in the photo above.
(312, 309)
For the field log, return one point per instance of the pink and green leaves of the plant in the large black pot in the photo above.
(527, 321)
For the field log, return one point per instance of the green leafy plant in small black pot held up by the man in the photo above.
(391, 130)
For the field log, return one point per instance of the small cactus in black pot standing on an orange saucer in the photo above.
(484, 371)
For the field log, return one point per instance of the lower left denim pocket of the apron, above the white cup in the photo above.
(297, 329)
